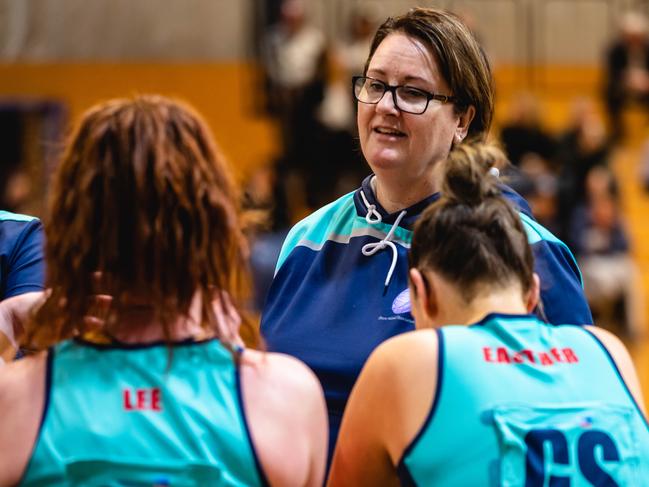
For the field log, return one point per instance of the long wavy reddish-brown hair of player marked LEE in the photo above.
(143, 199)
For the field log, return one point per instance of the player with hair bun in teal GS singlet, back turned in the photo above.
(499, 397)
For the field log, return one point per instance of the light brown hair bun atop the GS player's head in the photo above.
(468, 178)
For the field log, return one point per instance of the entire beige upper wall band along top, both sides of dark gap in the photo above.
(514, 31)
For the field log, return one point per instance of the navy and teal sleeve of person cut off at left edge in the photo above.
(22, 268)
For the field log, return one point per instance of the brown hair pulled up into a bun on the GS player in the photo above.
(472, 235)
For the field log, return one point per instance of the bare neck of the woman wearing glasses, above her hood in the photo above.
(397, 193)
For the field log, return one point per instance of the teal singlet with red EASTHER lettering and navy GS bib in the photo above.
(522, 403)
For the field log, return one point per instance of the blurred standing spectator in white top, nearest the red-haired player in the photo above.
(294, 57)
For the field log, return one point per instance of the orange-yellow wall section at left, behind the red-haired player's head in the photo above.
(221, 92)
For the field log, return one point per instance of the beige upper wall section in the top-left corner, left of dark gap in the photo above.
(47, 30)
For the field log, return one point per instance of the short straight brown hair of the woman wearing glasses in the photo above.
(461, 60)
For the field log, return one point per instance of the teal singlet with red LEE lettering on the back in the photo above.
(125, 415)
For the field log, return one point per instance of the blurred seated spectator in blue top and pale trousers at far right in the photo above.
(611, 278)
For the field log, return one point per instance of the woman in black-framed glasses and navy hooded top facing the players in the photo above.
(340, 286)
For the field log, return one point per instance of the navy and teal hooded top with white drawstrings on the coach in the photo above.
(329, 304)
